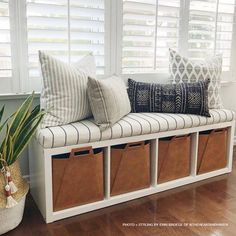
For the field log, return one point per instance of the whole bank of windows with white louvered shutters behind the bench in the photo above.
(126, 36)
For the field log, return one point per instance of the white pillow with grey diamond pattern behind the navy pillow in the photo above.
(185, 70)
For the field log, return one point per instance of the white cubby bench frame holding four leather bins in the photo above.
(41, 170)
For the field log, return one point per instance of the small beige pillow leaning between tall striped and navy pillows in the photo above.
(109, 100)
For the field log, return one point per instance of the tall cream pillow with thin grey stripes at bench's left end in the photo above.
(64, 93)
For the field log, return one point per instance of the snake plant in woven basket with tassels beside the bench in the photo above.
(19, 129)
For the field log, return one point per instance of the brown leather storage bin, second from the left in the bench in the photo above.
(130, 167)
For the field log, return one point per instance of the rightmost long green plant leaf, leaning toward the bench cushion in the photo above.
(24, 142)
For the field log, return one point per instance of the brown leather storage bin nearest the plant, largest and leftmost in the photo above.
(77, 178)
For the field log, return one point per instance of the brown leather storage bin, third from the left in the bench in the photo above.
(173, 158)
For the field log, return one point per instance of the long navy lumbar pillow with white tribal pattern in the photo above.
(187, 98)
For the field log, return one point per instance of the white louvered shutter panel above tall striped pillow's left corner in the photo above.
(47, 24)
